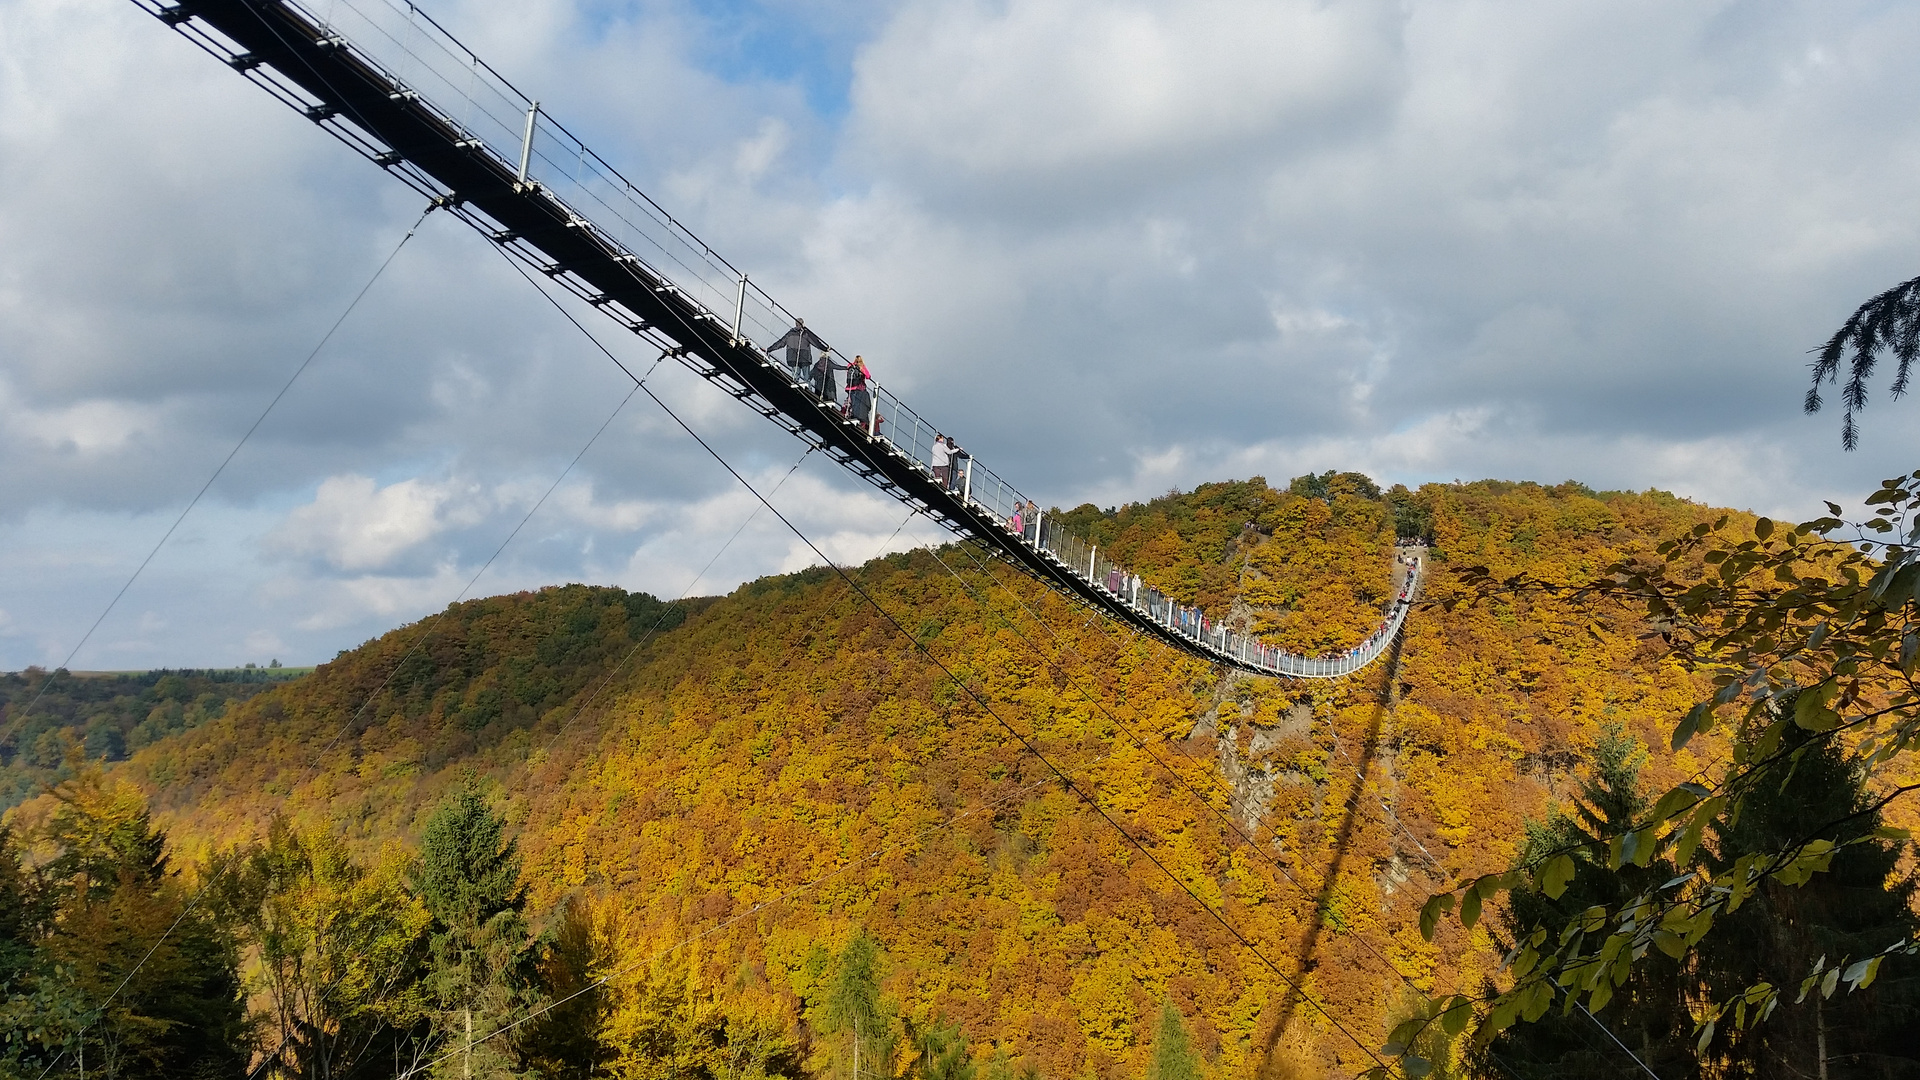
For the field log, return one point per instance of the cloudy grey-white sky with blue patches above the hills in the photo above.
(1116, 247)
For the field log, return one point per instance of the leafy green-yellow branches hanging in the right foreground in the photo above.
(1810, 639)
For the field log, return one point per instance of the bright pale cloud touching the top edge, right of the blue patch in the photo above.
(1045, 91)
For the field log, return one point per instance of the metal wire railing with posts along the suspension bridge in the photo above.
(435, 72)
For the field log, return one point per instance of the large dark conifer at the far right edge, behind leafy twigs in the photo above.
(1860, 906)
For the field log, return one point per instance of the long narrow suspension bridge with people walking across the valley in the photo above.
(389, 82)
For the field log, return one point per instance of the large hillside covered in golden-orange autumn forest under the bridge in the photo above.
(731, 806)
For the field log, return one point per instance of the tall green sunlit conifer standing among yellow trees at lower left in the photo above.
(469, 879)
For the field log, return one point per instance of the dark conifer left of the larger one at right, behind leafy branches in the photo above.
(1648, 1012)
